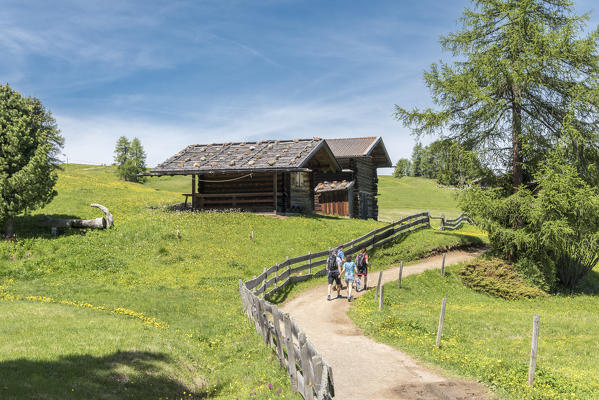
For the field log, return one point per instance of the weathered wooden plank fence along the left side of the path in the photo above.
(309, 374)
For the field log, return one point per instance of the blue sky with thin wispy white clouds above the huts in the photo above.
(174, 73)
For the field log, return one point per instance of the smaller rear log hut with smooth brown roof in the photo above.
(359, 159)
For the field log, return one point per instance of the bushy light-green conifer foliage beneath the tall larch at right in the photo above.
(552, 234)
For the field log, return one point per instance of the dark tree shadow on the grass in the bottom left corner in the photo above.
(129, 374)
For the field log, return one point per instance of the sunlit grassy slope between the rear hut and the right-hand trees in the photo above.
(408, 195)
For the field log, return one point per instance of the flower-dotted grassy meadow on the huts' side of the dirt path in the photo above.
(150, 308)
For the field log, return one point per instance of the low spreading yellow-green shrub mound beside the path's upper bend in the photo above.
(497, 278)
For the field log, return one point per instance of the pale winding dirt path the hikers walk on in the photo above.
(377, 371)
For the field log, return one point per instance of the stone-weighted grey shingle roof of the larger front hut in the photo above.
(261, 156)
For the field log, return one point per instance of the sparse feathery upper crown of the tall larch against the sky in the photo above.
(522, 71)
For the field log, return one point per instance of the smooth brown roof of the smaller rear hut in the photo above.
(371, 146)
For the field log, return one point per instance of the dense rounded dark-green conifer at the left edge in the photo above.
(29, 143)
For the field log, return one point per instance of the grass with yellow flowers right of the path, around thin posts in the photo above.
(488, 338)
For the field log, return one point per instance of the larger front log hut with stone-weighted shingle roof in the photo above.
(265, 176)
